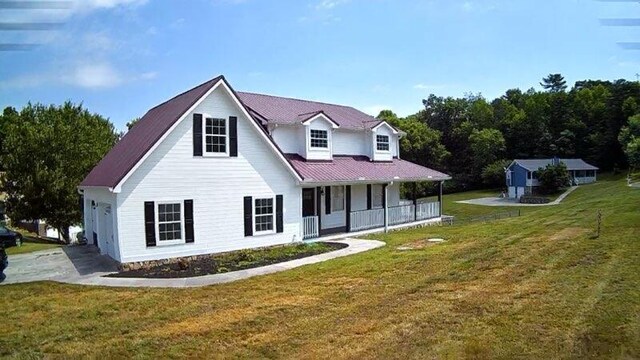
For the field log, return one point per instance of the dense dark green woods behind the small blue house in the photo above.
(473, 139)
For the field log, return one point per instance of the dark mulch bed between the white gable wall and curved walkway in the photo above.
(232, 261)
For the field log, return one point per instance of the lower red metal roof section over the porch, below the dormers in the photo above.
(360, 169)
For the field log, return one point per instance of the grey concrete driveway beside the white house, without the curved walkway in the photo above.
(61, 264)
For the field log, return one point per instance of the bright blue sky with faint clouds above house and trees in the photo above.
(122, 57)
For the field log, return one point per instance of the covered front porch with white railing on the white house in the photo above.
(357, 208)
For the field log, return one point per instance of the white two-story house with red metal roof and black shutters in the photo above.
(214, 170)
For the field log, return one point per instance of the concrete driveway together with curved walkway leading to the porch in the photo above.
(83, 265)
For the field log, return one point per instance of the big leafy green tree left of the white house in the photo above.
(52, 150)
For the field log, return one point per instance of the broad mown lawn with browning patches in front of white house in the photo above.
(536, 286)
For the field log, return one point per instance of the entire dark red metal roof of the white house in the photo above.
(264, 108)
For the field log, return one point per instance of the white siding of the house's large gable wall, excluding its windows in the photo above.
(217, 186)
